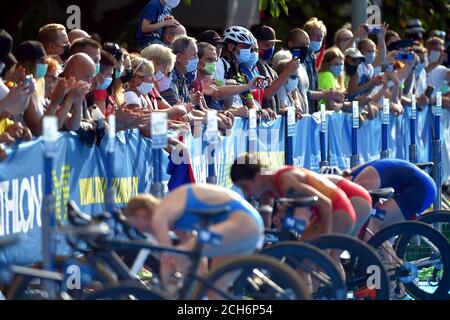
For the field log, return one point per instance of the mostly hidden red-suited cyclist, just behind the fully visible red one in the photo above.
(358, 196)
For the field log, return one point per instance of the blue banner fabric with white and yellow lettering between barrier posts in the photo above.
(80, 174)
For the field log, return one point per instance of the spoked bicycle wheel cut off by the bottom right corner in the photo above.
(429, 255)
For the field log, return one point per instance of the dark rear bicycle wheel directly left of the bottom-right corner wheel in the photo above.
(366, 277)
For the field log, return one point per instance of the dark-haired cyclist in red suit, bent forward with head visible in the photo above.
(332, 213)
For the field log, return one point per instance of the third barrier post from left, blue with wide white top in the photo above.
(159, 125)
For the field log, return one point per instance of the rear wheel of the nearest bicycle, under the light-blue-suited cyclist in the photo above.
(256, 277)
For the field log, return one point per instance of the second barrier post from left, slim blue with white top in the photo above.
(110, 148)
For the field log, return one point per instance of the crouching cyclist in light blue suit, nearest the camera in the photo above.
(240, 228)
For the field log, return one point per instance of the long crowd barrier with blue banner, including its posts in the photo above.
(137, 165)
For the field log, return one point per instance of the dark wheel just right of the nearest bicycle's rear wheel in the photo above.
(330, 285)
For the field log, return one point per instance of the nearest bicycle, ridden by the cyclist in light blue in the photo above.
(274, 280)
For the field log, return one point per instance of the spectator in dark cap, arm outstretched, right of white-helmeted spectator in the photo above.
(266, 42)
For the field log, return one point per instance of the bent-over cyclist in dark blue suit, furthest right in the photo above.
(415, 191)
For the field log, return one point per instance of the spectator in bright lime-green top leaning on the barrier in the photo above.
(331, 73)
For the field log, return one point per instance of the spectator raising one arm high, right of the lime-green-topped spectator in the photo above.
(365, 79)
